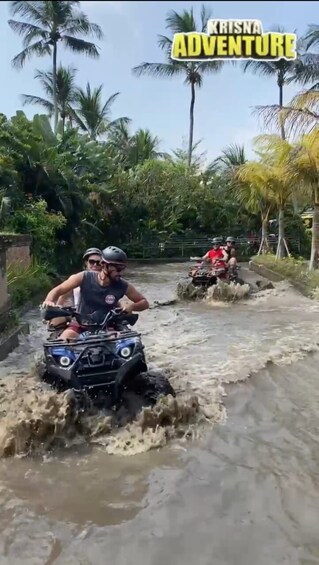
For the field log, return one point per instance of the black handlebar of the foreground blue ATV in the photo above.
(94, 320)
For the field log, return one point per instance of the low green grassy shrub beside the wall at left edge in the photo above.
(27, 283)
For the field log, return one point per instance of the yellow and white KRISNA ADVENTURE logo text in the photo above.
(233, 39)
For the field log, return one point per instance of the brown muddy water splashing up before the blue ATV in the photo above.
(35, 419)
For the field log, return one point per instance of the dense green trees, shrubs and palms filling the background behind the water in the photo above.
(93, 179)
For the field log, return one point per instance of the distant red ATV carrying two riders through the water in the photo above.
(206, 275)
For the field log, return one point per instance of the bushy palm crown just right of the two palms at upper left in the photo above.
(91, 114)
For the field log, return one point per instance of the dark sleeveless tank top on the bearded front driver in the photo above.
(94, 297)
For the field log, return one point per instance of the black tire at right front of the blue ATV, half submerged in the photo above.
(151, 386)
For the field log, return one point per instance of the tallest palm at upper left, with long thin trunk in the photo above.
(47, 23)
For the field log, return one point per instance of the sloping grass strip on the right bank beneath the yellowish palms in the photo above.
(295, 270)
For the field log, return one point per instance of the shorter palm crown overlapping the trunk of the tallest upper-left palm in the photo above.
(65, 93)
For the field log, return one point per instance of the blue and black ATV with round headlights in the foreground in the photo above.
(106, 360)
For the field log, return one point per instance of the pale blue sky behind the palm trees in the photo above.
(223, 111)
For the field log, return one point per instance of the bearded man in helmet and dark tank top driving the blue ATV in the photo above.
(99, 290)
